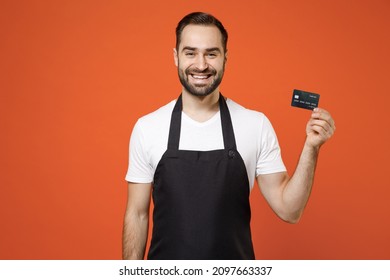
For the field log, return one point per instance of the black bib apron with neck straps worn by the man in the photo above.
(201, 199)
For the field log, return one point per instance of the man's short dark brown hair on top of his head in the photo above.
(199, 18)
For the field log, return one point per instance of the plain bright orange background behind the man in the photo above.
(76, 75)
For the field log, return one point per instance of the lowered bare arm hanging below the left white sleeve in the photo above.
(136, 221)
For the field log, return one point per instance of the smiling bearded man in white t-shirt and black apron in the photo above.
(199, 157)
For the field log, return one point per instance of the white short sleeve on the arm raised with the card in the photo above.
(269, 159)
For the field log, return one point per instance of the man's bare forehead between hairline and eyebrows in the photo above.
(201, 37)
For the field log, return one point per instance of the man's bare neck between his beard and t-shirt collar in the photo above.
(200, 108)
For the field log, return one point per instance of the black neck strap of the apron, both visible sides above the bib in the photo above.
(227, 126)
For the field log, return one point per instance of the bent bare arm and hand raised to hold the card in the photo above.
(288, 196)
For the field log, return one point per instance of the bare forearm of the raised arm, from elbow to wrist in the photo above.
(297, 190)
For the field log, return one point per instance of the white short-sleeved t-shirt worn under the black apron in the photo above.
(255, 139)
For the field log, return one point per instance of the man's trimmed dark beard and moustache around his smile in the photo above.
(200, 90)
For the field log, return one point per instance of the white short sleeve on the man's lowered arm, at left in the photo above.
(139, 169)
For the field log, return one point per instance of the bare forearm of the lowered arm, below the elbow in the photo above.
(135, 233)
